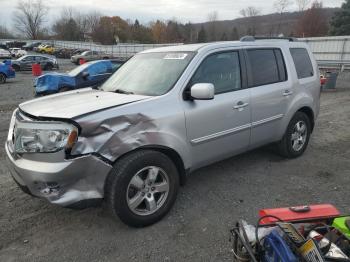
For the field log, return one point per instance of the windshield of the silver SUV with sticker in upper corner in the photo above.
(150, 74)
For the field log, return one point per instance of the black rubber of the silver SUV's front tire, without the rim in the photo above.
(118, 180)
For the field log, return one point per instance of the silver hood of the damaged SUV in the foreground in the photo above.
(75, 103)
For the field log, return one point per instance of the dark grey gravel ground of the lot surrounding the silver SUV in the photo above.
(197, 228)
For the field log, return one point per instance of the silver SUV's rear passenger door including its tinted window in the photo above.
(271, 93)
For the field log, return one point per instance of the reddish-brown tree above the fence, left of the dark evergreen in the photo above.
(312, 23)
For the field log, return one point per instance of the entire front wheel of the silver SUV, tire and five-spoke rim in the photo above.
(120, 191)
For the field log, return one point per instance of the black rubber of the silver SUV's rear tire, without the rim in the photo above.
(285, 146)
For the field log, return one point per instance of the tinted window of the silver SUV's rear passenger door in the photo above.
(267, 66)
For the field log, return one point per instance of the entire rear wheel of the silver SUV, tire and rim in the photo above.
(295, 141)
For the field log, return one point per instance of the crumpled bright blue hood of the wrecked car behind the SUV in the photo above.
(51, 82)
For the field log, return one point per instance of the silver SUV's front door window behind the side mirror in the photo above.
(222, 70)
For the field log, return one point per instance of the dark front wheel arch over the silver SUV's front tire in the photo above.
(169, 152)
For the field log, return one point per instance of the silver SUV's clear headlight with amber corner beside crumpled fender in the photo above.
(43, 137)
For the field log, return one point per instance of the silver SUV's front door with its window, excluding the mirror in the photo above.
(219, 128)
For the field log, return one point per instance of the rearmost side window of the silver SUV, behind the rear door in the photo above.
(302, 62)
